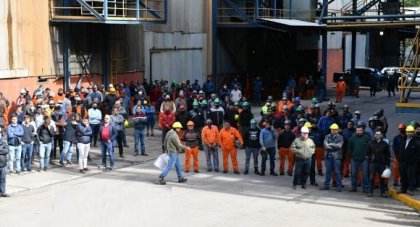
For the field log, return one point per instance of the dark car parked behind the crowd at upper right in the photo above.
(365, 76)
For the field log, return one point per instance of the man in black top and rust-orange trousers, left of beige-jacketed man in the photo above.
(285, 139)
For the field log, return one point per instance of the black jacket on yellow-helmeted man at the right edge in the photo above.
(409, 154)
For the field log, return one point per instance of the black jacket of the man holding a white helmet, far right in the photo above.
(379, 153)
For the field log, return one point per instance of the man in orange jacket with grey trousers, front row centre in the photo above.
(209, 136)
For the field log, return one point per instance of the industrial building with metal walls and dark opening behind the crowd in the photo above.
(60, 42)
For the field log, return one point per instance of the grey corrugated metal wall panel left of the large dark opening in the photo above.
(178, 50)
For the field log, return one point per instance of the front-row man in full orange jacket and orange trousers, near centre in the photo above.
(227, 140)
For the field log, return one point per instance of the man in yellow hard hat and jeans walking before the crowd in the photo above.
(172, 146)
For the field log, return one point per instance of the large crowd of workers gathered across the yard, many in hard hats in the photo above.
(194, 117)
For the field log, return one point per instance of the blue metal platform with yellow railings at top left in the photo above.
(109, 11)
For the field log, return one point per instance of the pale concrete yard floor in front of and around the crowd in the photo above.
(130, 196)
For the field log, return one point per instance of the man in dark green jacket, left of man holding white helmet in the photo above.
(357, 146)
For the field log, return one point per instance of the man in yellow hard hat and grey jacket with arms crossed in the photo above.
(333, 144)
